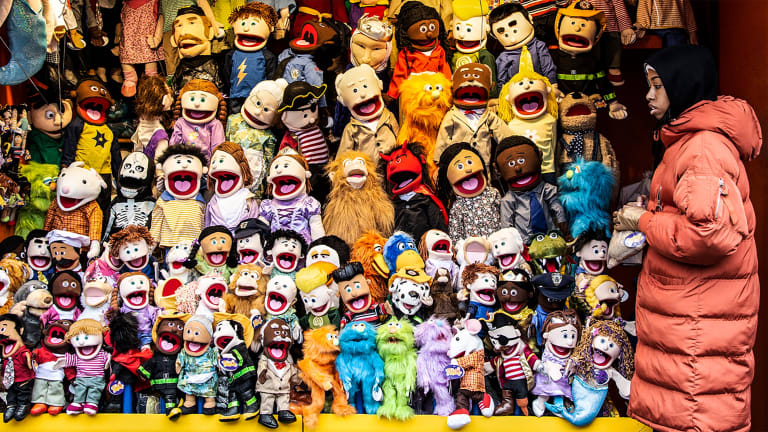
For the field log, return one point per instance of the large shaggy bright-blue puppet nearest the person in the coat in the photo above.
(585, 192)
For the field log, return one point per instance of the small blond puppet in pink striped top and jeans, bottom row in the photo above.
(90, 361)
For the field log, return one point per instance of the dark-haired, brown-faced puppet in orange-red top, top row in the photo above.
(420, 35)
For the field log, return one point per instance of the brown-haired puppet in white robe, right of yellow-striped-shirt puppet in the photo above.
(229, 176)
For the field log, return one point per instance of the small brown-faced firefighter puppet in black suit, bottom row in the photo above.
(160, 369)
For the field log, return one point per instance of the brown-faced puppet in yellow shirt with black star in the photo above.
(88, 138)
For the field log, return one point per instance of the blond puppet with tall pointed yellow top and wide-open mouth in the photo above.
(528, 104)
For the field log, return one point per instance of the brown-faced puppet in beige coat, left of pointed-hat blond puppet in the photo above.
(469, 120)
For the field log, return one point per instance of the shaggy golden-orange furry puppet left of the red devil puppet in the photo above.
(357, 202)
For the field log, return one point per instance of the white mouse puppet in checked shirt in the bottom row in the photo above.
(467, 355)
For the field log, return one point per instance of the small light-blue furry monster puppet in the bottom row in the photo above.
(360, 367)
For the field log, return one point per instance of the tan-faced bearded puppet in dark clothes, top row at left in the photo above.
(192, 35)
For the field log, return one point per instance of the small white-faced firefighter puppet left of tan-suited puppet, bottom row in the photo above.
(232, 336)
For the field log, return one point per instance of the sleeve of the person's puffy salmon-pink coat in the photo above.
(712, 221)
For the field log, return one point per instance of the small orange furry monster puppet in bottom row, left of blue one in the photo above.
(318, 370)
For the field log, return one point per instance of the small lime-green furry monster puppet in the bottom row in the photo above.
(395, 342)
